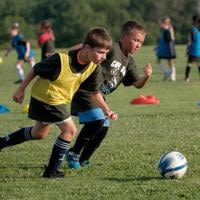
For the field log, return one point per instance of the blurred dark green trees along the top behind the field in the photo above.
(72, 18)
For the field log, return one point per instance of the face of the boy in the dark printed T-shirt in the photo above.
(132, 43)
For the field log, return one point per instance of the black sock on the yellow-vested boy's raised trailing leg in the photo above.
(17, 137)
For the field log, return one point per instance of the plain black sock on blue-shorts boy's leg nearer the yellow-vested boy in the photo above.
(87, 132)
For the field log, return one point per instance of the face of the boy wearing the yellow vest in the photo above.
(97, 54)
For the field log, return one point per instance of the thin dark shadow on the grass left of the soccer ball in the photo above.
(131, 179)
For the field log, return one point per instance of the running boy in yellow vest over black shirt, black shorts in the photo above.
(59, 78)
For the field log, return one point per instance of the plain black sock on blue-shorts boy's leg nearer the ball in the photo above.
(93, 144)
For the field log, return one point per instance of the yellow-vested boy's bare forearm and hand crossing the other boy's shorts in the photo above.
(99, 100)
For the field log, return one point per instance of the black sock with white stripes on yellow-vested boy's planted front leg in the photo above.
(59, 151)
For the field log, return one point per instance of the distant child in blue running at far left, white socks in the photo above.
(23, 49)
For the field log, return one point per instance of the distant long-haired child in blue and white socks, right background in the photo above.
(165, 49)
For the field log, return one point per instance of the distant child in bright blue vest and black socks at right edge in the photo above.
(193, 47)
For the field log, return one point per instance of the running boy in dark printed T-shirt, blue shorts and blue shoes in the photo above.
(119, 67)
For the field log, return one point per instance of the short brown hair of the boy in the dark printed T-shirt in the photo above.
(129, 26)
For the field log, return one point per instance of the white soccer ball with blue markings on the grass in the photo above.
(172, 165)
